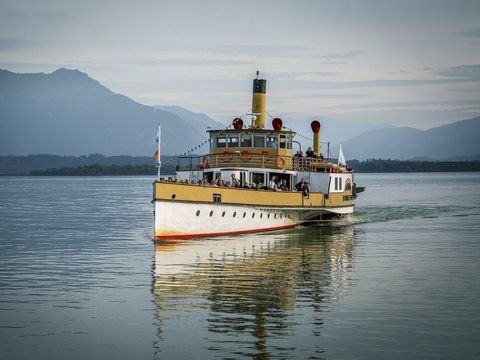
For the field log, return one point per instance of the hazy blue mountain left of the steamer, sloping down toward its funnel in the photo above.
(68, 113)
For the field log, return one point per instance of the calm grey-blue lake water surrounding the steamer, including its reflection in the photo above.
(80, 277)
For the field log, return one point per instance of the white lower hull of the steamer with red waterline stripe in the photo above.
(189, 219)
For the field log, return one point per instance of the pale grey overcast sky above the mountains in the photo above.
(406, 63)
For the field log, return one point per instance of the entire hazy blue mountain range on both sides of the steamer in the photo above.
(68, 113)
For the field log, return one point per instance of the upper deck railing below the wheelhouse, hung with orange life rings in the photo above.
(267, 161)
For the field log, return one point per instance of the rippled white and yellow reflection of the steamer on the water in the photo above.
(252, 284)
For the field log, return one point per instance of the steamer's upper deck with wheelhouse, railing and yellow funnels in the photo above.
(254, 146)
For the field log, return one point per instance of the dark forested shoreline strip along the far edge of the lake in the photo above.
(100, 165)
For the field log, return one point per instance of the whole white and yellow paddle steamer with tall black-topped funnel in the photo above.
(251, 181)
